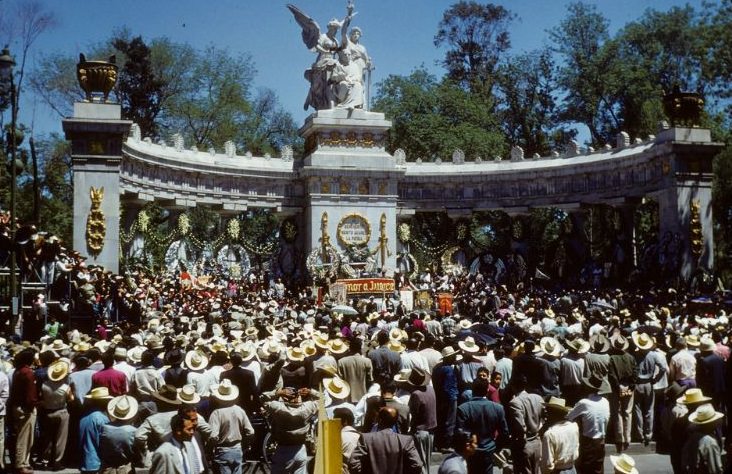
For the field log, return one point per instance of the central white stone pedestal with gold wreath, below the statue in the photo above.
(351, 184)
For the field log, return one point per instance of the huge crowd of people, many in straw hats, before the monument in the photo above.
(185, 374)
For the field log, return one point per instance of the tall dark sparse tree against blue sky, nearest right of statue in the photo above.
(476, 37)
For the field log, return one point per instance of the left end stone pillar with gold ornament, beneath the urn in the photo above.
(96, 132)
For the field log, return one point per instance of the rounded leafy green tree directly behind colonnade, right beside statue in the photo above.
(432, 119)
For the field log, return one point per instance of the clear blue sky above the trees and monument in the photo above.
(397, 33)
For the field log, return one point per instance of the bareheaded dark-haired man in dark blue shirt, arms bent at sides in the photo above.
(483, 418)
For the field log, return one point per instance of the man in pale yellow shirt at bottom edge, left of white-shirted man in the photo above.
(560, 441)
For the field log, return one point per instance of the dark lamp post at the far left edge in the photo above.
(6, 73)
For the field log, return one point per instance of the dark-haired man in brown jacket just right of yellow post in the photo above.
(385, 452)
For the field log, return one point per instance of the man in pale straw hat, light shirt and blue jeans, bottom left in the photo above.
(230, 427)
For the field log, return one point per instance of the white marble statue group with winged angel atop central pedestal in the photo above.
(337, 75)
